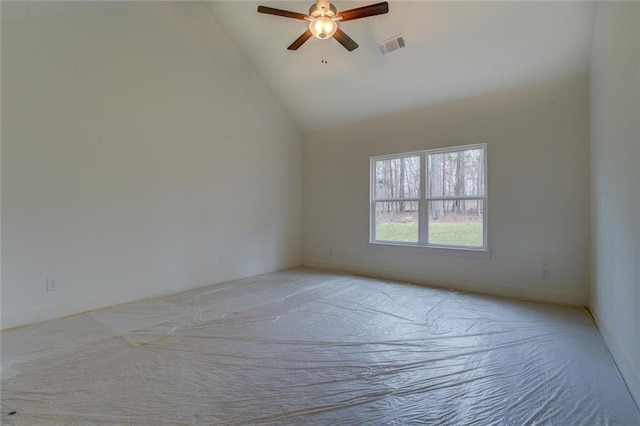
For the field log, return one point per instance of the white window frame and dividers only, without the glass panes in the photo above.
(424, 199)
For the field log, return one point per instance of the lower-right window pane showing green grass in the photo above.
(456, 222)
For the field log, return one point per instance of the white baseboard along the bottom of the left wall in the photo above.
(76, 307)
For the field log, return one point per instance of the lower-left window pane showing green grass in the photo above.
(397, 221)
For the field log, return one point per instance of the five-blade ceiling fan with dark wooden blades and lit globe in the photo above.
(323, 20)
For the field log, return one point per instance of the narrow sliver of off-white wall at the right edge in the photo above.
(615, 174)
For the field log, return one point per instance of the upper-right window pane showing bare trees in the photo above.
(457, 173)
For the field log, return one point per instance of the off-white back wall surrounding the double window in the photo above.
(538, 164)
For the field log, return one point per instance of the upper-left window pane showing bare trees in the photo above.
(397, 178)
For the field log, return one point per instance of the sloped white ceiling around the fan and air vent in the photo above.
(454, 50)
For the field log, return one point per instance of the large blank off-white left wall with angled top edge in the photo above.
(138, 146)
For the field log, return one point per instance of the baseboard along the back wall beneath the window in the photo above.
(535, 295)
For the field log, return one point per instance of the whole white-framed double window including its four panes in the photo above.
(430, 198)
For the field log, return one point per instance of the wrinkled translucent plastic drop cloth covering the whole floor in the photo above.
(310, 347)
